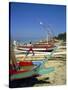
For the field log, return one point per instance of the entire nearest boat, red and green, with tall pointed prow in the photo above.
(25, 69)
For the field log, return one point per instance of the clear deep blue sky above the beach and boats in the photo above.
(30, 21)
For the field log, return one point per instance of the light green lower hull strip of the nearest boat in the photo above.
(34, 72)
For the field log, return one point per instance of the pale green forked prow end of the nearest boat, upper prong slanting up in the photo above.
(41, 69)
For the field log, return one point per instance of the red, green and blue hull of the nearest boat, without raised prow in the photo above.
(29, 69)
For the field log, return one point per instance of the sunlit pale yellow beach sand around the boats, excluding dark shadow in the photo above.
(58, 61)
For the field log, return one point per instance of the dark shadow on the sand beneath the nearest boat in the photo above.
(28, 82)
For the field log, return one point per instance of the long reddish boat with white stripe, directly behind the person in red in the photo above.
(37, 47)
